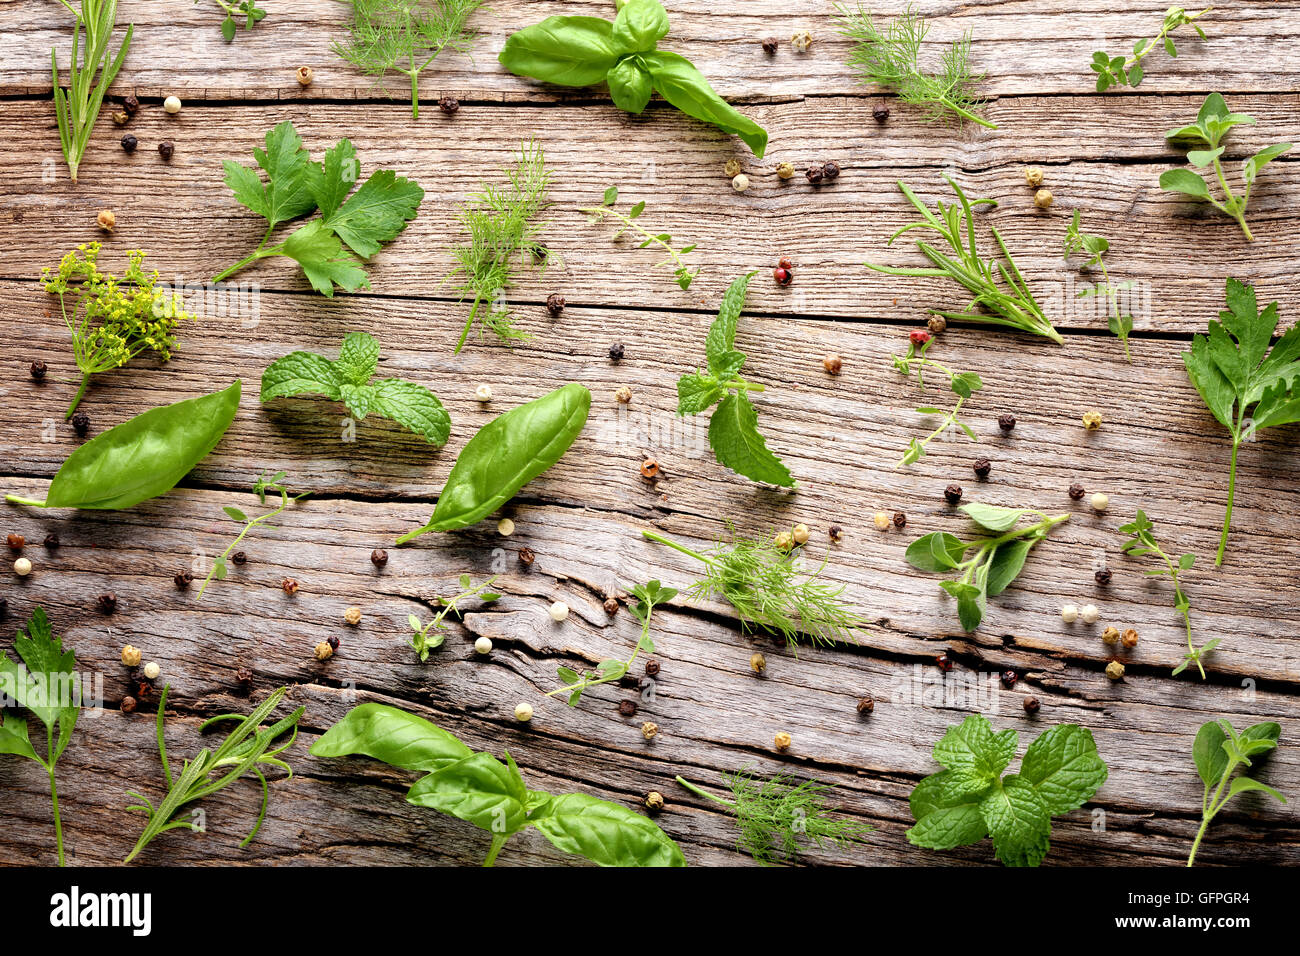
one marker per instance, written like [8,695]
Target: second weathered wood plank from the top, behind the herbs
[1173,250]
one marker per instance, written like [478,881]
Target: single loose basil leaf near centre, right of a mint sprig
[506,455]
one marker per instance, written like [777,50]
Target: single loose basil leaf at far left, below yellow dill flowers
[144,457]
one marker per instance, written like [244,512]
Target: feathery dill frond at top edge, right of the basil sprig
[891,58]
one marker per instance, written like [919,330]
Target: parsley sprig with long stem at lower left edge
[46,686]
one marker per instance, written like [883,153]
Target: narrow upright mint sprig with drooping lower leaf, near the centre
[734,426]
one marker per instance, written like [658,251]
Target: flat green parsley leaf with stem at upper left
[374,215]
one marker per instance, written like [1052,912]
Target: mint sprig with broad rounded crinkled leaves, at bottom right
[970,799]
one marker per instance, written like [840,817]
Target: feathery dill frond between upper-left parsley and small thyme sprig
[502,235]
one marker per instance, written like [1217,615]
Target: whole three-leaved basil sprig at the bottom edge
[480,790]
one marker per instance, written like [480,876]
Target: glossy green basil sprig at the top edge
[586,51]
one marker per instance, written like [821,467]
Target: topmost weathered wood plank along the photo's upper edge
[1022,47]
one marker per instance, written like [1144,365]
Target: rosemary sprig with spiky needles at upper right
[1002,296]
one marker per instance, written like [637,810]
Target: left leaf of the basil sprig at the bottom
[391,736]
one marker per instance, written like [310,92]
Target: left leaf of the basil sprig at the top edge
[566,51]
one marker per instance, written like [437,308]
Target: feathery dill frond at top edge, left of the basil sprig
[406,37]
